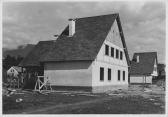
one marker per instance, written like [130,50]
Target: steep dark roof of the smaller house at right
[145,65]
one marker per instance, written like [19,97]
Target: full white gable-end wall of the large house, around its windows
[113,40]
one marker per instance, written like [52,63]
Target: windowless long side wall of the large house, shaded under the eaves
[78,73]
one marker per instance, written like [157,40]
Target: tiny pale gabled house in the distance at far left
[14,71]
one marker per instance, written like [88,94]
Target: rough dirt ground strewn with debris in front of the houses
[136,100]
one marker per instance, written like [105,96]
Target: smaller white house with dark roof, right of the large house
[143,67]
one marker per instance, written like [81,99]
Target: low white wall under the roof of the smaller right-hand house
[140,79]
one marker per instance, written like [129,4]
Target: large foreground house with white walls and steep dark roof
[90,54]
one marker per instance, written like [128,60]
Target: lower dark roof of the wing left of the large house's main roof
[32,59]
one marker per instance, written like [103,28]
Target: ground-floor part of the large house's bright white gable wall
[114,74]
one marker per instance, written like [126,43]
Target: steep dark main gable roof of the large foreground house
[90,33]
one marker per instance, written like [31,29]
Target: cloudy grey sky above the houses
[143,23]
